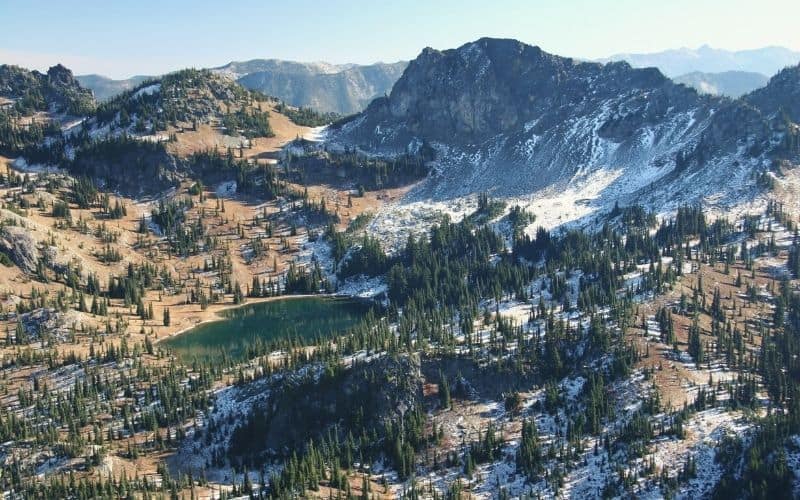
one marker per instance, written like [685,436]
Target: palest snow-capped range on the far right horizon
[674,62]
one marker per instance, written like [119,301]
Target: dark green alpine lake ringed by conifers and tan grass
[300,317]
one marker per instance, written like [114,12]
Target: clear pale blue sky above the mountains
[120,38]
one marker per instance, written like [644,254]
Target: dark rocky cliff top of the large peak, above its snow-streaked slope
[495,86]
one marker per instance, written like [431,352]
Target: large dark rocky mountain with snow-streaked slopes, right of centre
[512,120]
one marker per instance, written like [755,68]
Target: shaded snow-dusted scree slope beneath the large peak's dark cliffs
[571,155]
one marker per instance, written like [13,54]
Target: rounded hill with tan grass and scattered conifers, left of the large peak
[149,138]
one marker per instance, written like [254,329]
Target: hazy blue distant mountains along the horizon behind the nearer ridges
[348,88]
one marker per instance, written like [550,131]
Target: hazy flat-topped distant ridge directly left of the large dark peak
[343,89]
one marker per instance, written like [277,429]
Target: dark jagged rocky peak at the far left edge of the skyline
[55,91]
